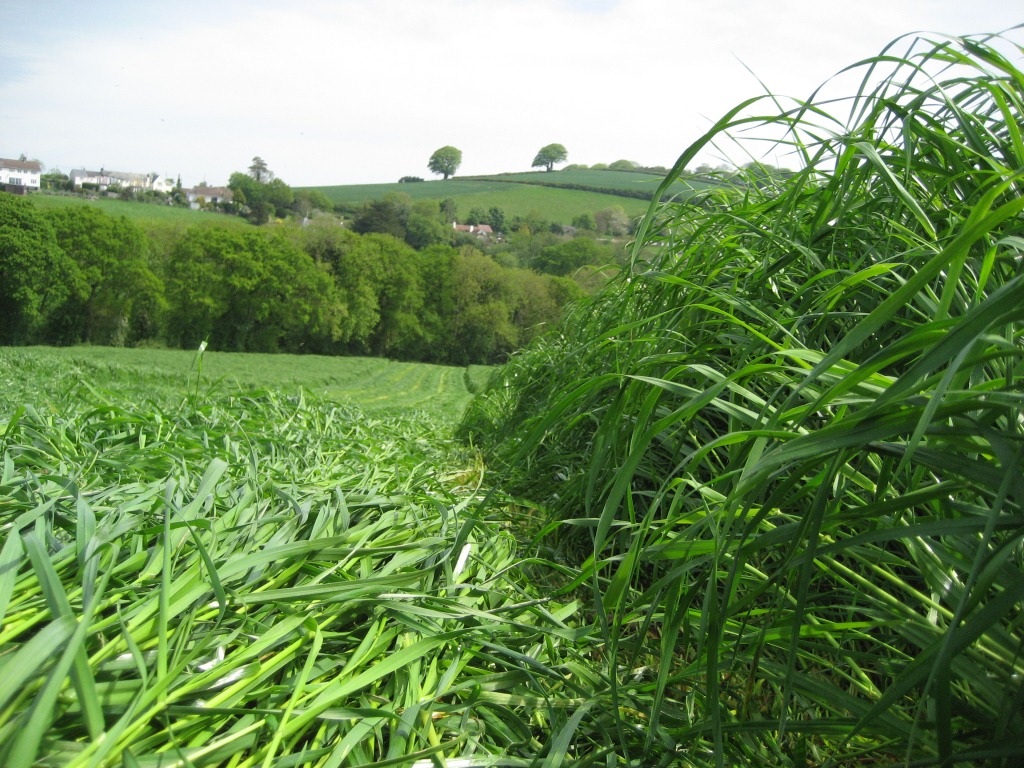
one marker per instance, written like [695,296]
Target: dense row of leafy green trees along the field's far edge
[78,276]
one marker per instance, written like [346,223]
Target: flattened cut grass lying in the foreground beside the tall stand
[262,580]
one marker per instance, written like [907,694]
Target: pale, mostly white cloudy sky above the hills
[364,92]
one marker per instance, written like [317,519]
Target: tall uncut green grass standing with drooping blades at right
[785,450]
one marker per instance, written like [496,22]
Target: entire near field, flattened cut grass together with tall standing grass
[758,502]
